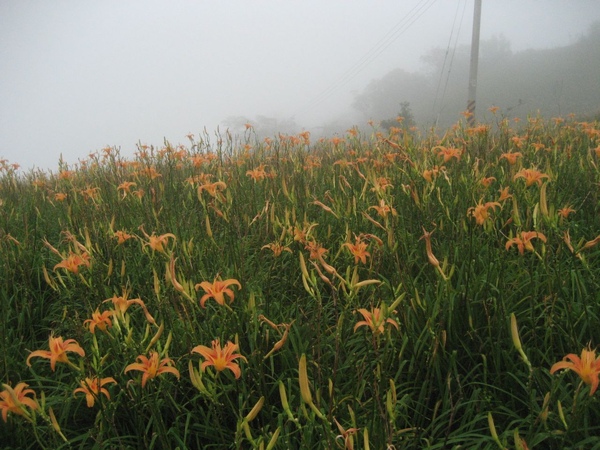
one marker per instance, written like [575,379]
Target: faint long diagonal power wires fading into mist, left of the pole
[413,15]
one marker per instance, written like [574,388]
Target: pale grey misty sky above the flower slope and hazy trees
[78,75]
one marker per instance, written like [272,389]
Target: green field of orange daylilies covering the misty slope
[374,290]
